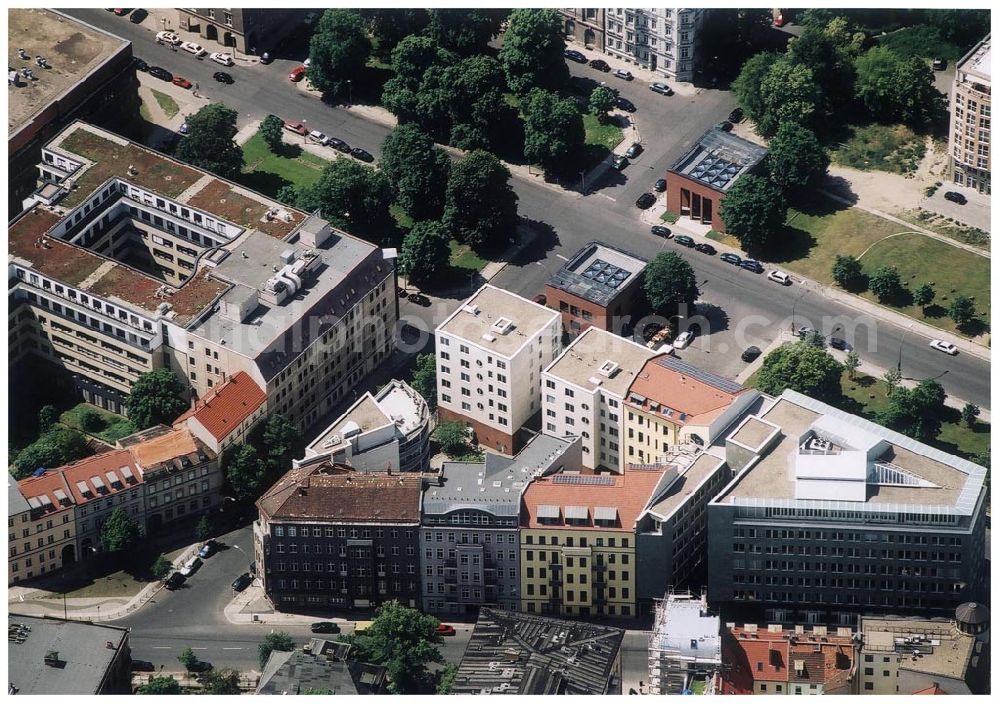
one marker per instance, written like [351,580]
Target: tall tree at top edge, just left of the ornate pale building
[532,51]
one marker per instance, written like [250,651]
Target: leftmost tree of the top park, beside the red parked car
[338,50]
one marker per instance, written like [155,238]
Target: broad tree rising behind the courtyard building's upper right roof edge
[353,197]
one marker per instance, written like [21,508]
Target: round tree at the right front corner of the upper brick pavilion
[753,210]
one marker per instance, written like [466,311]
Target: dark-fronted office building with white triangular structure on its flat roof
[830,515]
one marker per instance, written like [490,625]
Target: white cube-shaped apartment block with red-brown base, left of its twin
[490,355]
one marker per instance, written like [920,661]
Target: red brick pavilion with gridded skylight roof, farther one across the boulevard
[698,181]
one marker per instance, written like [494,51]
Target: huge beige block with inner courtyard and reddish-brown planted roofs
[130,261]
